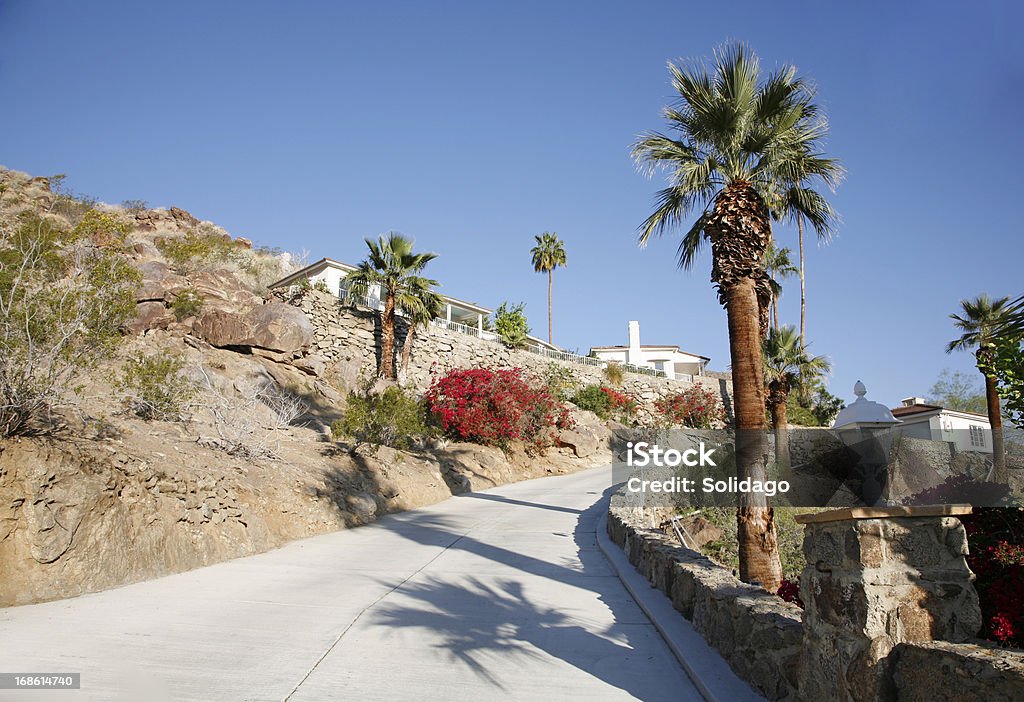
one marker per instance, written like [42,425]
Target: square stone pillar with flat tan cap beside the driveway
[877,578]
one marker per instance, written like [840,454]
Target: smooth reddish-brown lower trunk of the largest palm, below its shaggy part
[759,560]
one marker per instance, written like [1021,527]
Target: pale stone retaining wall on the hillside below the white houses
[350,339]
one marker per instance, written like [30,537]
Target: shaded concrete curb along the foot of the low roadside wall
[705,666]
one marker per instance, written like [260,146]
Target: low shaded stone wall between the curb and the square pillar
[758,634]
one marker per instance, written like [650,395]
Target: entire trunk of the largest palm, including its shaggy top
[740,230]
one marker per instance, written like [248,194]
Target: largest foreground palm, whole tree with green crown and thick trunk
[737,142]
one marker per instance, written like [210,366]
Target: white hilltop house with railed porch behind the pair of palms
[459,315]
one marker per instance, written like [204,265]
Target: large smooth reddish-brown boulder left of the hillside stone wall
[275,327]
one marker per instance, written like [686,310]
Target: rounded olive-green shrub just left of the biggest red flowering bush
[391,419]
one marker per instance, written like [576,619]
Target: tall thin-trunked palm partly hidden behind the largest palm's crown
[801,202]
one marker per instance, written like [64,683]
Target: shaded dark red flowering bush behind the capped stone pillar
[996,539]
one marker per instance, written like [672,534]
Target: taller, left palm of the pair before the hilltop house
[394,267]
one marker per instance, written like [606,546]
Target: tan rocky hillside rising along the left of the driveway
[105,498]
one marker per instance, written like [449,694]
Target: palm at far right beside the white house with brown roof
[982,321]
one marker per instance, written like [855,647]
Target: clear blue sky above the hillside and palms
[474,126]
